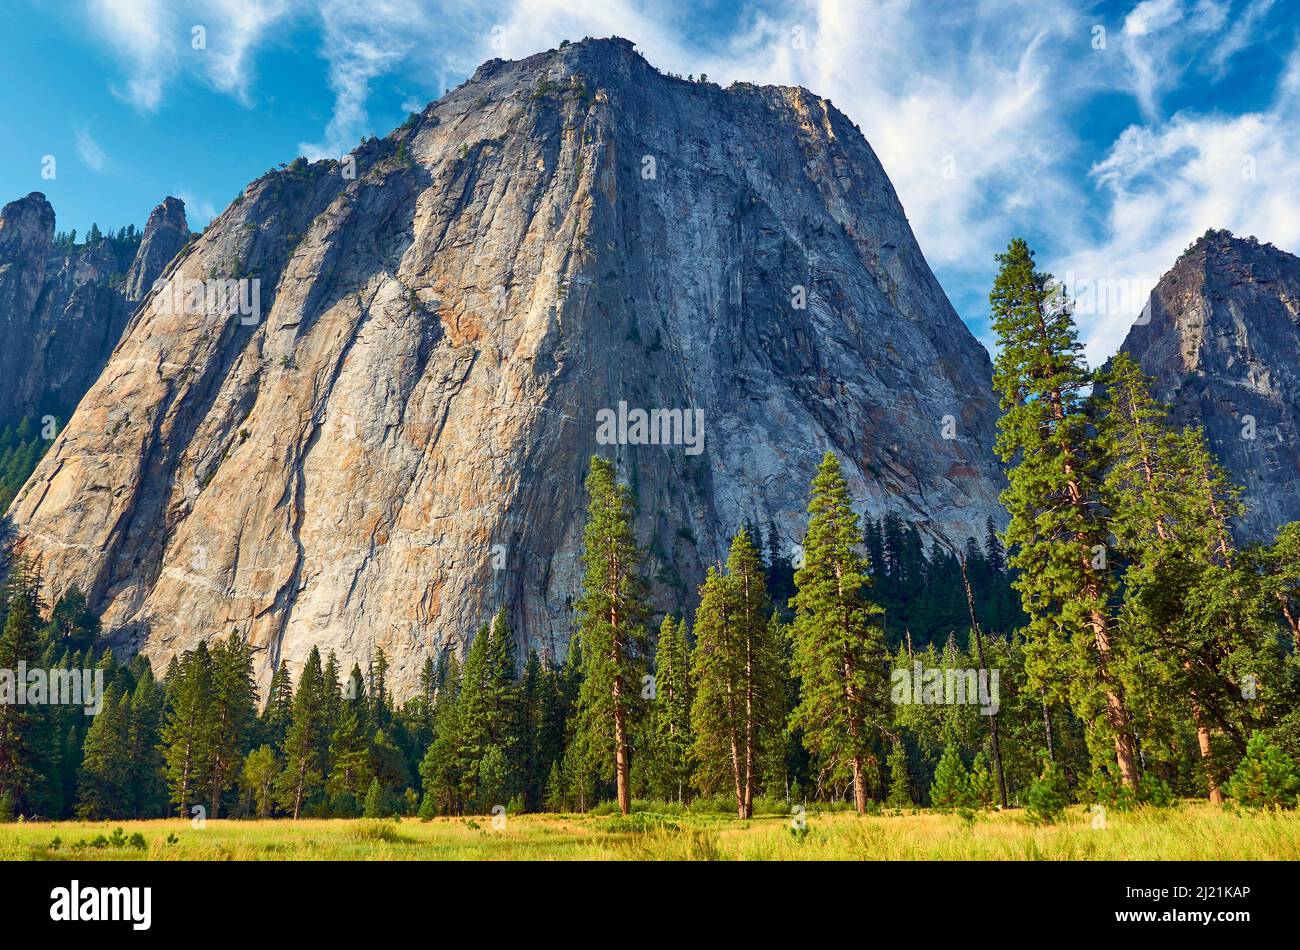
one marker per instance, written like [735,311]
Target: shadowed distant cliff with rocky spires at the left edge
[63,307]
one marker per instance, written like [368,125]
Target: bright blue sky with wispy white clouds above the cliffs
[1111,135]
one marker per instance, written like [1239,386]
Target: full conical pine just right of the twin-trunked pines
[839,648]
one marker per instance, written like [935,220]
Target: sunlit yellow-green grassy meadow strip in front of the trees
[1191,832]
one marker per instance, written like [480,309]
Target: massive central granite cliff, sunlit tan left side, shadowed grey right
[397,444]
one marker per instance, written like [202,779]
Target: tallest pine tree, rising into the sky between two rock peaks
[1058,527]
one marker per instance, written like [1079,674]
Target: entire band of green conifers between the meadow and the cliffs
[1142,656]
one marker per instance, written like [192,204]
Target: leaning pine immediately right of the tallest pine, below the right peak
[1195,611]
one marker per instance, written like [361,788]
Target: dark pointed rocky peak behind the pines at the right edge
[1224,346]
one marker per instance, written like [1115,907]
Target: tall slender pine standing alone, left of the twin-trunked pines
[612,628]
